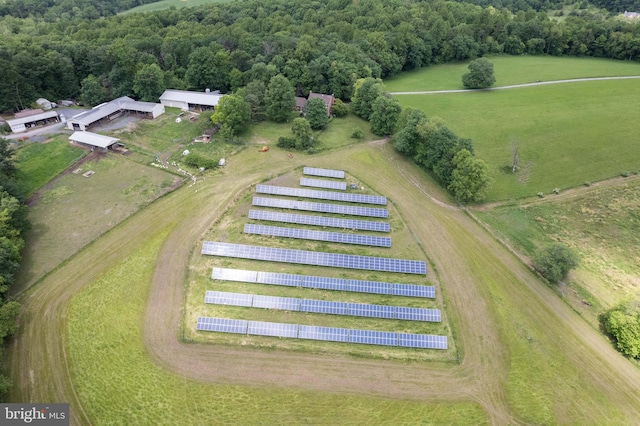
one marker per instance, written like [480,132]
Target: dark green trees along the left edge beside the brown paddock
[13,227]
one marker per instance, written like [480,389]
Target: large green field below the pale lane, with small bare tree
[567,133]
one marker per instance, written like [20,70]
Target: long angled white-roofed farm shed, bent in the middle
[109,111]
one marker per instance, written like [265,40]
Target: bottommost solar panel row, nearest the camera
[368,337]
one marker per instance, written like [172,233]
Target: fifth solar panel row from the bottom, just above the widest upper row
[307,234]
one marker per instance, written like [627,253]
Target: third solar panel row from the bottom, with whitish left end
[326,283]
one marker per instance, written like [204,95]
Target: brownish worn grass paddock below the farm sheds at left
[75,210]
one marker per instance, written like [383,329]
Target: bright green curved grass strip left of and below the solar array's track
[117,382]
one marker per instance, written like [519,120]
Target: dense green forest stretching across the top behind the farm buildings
[319,46]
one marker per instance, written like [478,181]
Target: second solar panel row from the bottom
[322,306]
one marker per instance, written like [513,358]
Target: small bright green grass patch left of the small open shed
[38,163]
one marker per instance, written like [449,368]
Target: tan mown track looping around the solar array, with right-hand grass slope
[526,358]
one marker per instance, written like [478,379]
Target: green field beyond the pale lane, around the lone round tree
[511,70]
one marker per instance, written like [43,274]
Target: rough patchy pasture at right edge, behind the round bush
[598,222]
